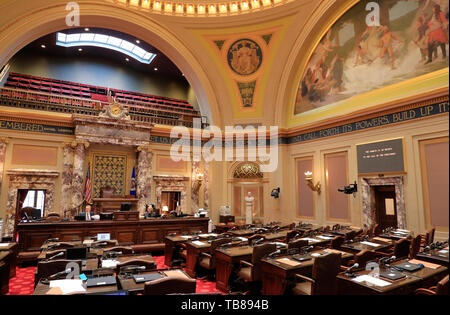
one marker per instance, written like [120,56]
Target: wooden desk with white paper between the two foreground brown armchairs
[278,272]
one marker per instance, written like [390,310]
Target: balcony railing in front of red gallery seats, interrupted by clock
[141,112]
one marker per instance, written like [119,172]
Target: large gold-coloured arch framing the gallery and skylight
[16,34]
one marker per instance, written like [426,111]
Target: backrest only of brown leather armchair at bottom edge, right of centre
[325,270]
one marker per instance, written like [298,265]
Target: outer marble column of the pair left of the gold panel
[67,179]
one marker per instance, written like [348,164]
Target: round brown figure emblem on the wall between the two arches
[244,56]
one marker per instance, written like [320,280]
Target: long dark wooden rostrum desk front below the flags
[145,231]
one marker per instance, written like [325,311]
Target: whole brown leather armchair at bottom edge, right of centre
[323,281]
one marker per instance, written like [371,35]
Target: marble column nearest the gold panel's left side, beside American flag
[78,178]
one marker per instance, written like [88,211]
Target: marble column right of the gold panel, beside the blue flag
[144,177]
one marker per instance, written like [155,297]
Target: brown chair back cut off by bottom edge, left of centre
[170,285]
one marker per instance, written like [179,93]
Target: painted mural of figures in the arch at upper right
[363,52]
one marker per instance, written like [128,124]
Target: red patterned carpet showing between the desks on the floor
[23,282]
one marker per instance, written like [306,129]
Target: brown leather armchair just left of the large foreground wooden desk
[251,272]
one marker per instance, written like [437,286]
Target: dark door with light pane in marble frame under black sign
[386,206]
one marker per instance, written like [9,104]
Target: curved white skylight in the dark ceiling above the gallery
[105,41]
